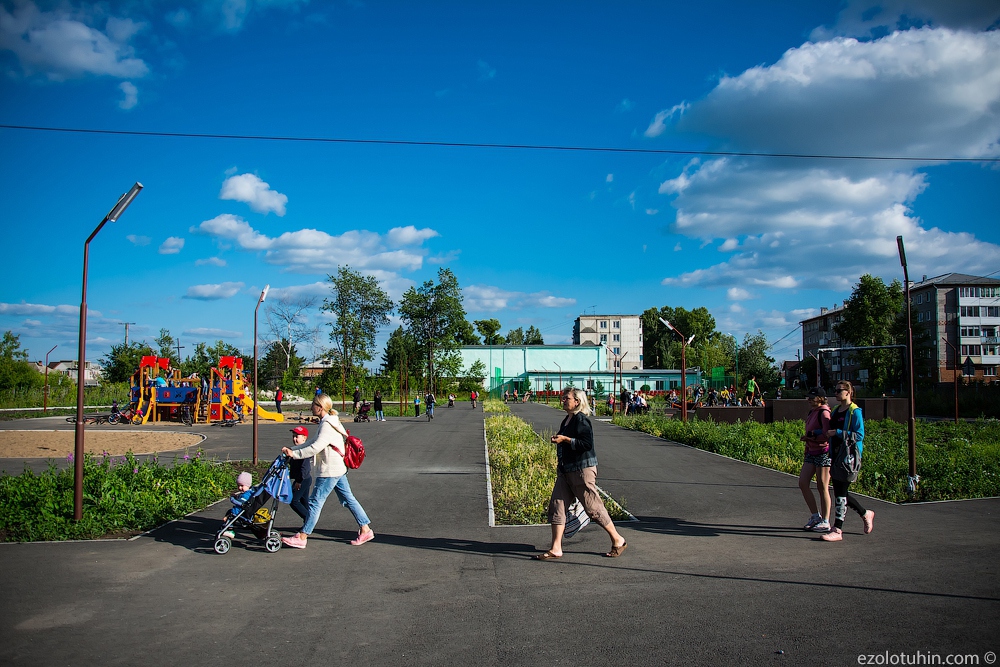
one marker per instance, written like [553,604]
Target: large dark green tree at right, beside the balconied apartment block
[871,316]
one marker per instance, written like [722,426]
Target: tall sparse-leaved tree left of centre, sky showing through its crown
[361,307]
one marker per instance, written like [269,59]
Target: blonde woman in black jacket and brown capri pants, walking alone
[576,476]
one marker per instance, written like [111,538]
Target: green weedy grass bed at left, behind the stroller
[121,496]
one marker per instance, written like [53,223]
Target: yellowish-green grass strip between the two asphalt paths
[523,470]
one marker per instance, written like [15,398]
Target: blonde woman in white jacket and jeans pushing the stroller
[329,474]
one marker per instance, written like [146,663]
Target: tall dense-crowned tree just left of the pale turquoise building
[434,316]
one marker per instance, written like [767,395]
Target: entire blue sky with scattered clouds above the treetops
[535,237]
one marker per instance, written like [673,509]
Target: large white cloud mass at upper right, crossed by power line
[809,224]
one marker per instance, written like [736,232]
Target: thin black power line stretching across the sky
[462,144]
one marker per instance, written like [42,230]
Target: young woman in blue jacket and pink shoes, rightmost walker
[847,434]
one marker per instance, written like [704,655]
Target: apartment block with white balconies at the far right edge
[963,310]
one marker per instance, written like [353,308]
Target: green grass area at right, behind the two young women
[954,461]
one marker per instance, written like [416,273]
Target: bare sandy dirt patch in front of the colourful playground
[58,444]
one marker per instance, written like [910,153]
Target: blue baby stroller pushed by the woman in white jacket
[257,513]
